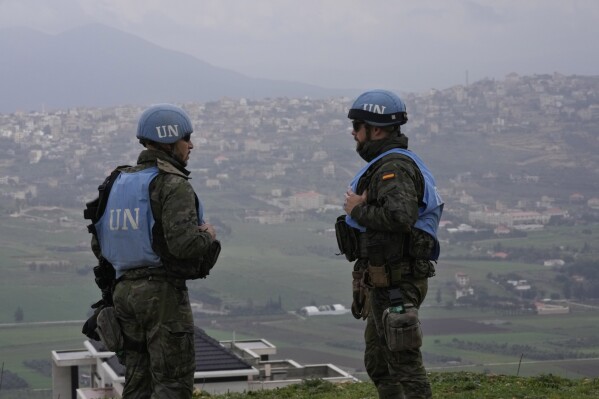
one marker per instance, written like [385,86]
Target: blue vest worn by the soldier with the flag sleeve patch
[429,214]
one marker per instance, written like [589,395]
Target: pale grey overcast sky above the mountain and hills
[410,45]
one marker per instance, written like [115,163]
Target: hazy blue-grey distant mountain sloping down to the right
[100,66]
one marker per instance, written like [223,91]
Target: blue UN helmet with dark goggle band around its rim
[379,108]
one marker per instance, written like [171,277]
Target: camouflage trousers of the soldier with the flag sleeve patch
[396,375]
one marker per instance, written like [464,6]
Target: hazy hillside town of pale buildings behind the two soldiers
[294,156]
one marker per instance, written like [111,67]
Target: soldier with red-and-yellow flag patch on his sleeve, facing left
[390,231]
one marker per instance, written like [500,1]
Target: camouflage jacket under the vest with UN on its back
[175,233]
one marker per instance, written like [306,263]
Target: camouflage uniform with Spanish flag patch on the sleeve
[388,215]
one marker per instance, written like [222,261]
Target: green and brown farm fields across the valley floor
[46,266]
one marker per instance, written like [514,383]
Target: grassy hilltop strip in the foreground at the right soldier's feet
[460,385]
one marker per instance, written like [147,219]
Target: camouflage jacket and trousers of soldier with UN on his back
[152,305]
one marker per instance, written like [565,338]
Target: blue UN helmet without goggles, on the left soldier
[163,123]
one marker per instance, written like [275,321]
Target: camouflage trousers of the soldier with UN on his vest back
[156,319]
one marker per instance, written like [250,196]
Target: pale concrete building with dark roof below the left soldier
[228,366]
